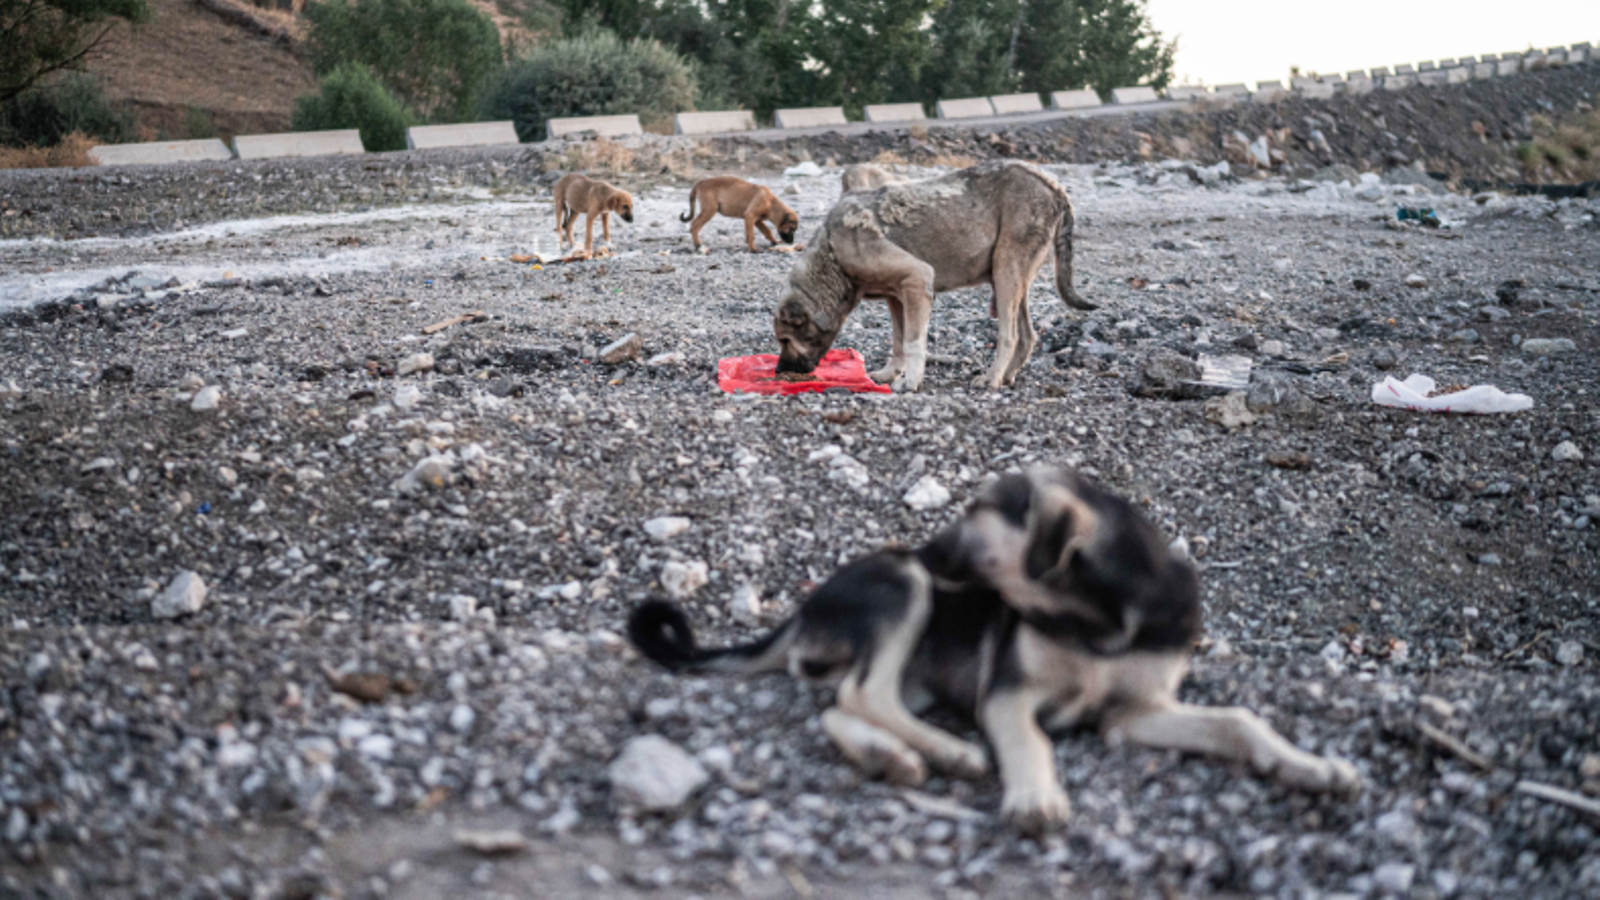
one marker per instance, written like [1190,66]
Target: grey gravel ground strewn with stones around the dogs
[417,582]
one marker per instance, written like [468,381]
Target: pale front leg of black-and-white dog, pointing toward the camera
[1034,798]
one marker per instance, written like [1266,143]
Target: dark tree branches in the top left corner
[39,38]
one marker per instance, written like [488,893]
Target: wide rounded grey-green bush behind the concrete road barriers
[596,74]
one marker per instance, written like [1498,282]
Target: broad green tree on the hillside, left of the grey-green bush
[434,55]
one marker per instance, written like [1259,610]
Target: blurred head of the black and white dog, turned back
[1103,573]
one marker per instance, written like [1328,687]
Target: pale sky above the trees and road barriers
[1258,41]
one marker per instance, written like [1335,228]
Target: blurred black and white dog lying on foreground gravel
[1050,605]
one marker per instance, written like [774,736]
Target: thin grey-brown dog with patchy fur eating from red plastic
[994,223]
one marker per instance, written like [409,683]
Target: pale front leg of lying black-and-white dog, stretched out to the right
[1236,734]
